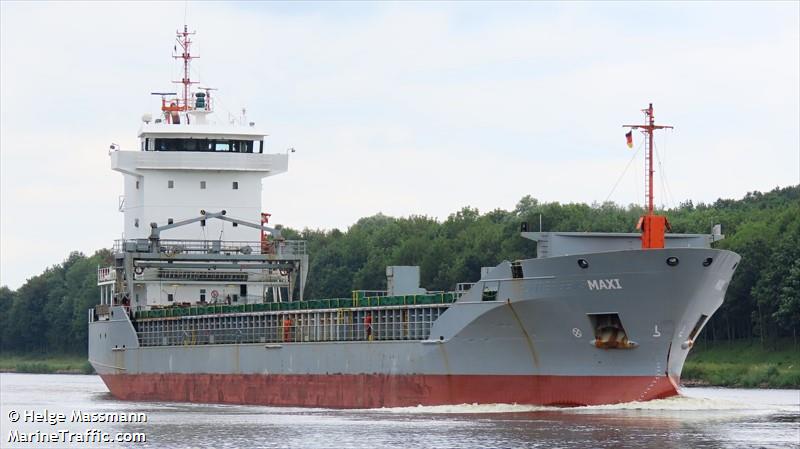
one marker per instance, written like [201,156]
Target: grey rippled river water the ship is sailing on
[702,417]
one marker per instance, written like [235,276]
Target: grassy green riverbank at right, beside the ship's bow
[743,363]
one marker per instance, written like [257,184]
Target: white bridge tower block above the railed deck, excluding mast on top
[182,169]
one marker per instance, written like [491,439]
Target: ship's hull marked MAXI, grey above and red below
[535,340]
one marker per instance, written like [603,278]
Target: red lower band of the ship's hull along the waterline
[378,390]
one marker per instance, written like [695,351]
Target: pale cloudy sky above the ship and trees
[407,108]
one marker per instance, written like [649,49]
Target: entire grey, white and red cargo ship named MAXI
[205,301]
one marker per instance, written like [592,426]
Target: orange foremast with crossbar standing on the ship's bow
[652,226]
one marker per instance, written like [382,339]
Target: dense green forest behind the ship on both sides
[48,314]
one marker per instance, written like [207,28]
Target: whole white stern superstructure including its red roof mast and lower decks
[192,199]
